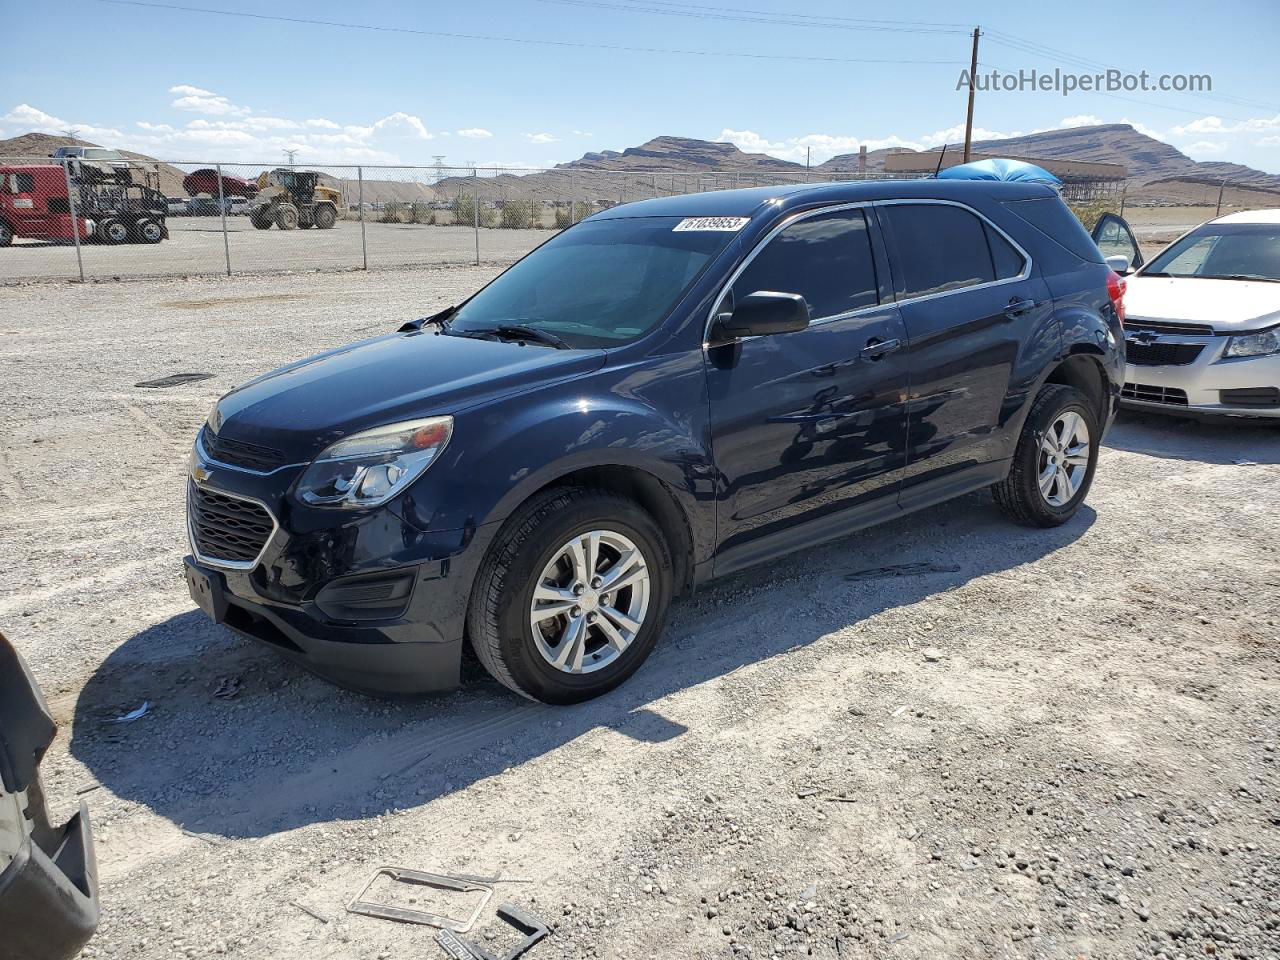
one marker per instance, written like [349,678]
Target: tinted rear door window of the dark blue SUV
[939,248]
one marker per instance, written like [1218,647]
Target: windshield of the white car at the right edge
[1223,252]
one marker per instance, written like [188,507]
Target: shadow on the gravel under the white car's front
[1212,441]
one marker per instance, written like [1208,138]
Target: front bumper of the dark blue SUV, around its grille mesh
[308,593]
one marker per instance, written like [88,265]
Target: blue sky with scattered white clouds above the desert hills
[540,83]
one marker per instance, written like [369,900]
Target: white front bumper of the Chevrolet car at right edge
[1209,385]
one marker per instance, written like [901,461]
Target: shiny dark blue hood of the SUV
[304,408]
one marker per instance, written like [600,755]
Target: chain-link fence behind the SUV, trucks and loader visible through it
[179,220]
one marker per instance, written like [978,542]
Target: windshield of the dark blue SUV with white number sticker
[601,284]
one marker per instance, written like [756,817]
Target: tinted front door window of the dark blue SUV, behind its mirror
[826,259]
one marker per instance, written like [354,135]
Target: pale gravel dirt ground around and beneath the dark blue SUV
[1050,744]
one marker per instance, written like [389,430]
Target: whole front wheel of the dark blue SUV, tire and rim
[573,597]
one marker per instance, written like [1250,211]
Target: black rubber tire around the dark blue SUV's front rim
[499,619]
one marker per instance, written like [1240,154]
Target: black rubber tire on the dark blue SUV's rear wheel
[1020,495]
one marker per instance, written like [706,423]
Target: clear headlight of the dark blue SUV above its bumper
[371,468]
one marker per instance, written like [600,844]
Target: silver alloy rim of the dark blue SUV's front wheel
[591,602]
